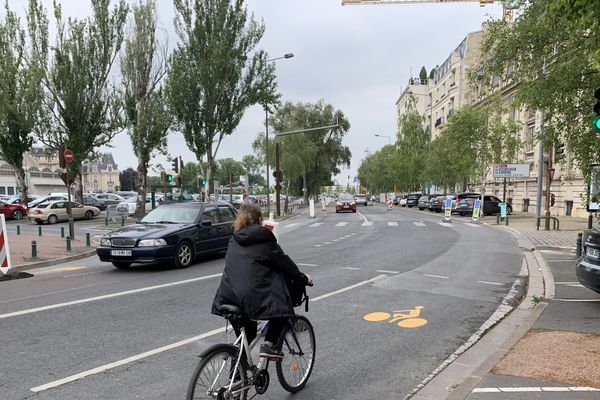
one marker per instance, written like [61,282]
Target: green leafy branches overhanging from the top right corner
[566,35]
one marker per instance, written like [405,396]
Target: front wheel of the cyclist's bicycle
[299,347]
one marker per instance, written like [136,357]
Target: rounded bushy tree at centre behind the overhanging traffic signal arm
[309,160]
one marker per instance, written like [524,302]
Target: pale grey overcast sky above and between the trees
[357,58]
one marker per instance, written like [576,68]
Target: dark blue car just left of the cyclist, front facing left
[174,233]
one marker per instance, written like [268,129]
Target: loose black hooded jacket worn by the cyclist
[254,275]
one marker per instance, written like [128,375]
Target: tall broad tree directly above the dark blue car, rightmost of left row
[216,72]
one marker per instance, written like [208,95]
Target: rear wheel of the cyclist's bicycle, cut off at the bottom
[212,376]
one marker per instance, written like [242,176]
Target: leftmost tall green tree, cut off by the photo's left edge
[20,92]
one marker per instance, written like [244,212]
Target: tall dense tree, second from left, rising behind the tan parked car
[81,108]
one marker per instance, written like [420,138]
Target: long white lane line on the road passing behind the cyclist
[171,346]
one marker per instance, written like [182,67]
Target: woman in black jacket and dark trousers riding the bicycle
[256,278]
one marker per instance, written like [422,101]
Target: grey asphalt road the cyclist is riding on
[84,330]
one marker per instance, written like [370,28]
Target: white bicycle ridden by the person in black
[227,372]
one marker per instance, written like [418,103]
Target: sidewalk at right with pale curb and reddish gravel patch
[546,348]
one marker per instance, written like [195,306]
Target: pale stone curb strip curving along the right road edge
[458,375]
